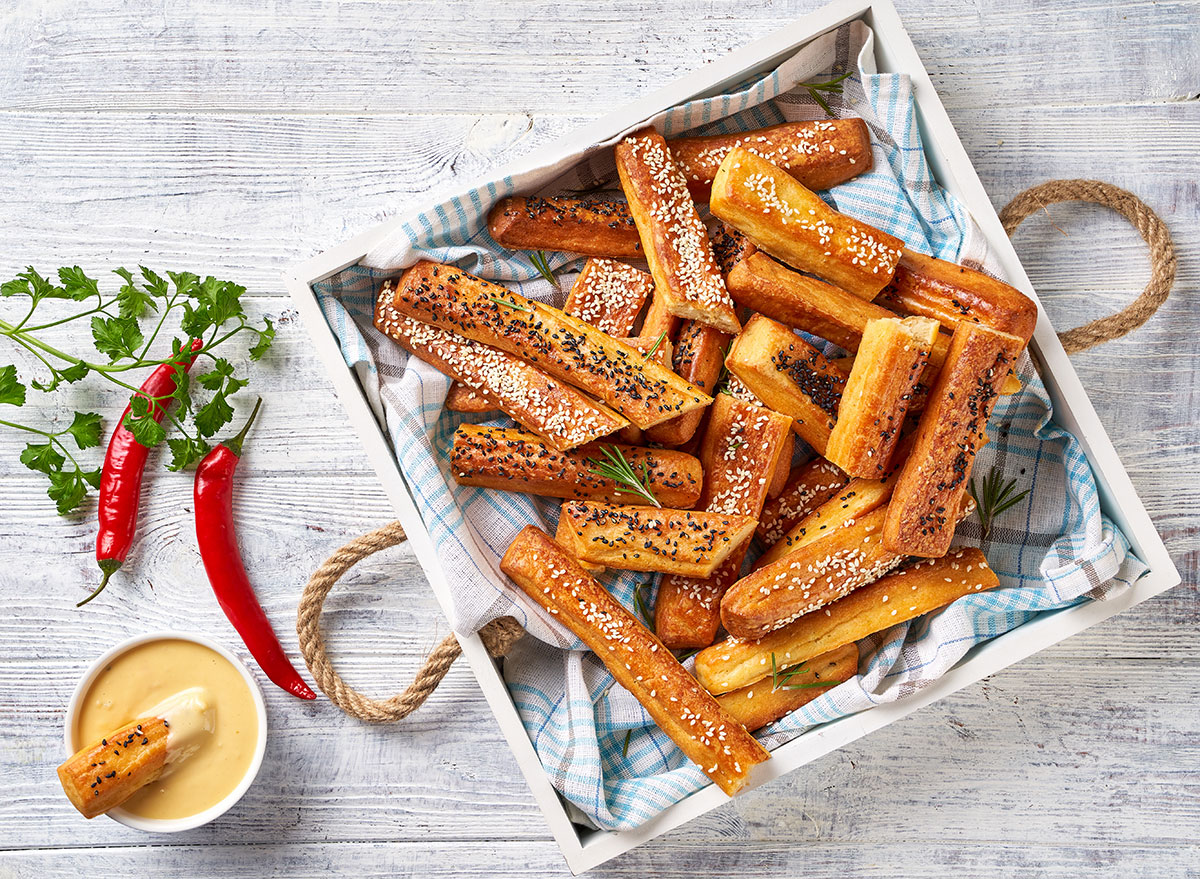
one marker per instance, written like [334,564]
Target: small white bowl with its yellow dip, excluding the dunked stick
[225,750]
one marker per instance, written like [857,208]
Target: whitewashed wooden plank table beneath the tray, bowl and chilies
[213,137]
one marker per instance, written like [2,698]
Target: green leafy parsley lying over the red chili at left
[127,328]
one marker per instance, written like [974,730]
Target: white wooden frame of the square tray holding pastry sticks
[895,53]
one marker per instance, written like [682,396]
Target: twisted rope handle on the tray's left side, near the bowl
[497,636]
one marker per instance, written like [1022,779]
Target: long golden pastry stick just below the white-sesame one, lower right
[893,600]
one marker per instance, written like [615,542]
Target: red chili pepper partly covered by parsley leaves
[121,483]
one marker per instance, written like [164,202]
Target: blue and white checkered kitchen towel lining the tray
[597,744]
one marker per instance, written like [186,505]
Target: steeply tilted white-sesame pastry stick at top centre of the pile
[674,237]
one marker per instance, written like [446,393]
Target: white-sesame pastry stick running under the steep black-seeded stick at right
[813,576]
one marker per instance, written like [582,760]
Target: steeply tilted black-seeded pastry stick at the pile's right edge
[935,475]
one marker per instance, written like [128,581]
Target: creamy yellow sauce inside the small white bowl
[220,727]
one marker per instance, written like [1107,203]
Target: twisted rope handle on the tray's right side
[1147,222]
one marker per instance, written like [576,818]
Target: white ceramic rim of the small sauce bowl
[173,826]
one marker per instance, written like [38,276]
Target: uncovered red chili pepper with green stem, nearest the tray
[223,563]
